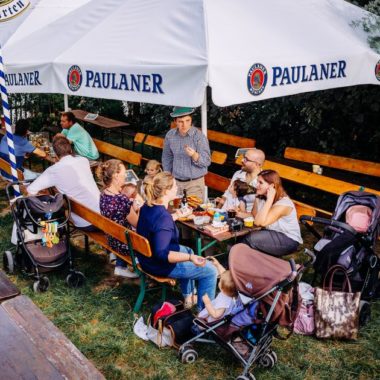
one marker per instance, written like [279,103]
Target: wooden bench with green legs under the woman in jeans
[135,242]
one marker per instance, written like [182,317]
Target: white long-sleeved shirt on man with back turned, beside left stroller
[71,176]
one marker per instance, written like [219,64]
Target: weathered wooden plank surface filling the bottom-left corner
[33,348]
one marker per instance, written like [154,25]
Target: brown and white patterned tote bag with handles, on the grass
[336,312]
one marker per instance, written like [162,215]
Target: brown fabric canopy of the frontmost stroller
[253,272]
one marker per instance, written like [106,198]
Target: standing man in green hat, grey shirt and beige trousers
[186,153]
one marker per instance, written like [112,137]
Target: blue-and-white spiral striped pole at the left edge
[7,119]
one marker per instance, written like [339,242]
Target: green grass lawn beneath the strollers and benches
[98,320]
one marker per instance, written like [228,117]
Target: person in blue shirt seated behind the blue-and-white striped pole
[22,148]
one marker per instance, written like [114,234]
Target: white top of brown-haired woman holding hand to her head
[288,224]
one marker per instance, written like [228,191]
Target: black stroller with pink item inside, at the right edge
[352,248]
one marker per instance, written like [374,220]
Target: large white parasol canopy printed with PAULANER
[168,51]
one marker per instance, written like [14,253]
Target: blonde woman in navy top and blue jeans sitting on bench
[169,258]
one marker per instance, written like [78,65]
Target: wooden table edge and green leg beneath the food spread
[201,233]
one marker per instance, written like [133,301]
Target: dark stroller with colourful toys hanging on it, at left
[42,238]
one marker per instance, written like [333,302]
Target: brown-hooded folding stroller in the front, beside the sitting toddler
[268,297]
